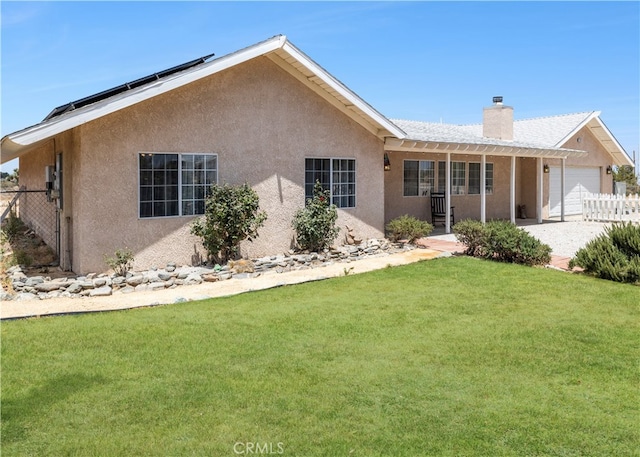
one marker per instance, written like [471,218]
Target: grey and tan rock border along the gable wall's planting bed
[172,276]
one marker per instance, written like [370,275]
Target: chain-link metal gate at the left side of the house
[37,211]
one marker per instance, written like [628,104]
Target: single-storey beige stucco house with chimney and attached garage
[129,167]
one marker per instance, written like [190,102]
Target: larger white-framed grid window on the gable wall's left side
[175,184]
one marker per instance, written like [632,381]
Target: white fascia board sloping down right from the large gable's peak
[343,90]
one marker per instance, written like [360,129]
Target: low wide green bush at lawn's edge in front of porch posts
[502,241]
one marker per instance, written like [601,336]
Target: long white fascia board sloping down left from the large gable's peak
[47,129]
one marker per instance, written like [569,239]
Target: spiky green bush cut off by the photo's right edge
[614,255]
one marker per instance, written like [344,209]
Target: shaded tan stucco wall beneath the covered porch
[465,206]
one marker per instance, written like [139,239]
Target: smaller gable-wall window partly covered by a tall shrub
[336,175]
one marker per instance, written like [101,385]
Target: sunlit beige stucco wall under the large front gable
[261,123]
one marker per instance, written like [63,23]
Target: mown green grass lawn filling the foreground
[453,357]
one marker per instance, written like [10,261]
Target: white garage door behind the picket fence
[578,182]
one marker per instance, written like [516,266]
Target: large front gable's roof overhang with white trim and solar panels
[278,49]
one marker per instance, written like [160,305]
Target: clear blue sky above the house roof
[429,61]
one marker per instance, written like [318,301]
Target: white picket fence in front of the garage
[611,208]
